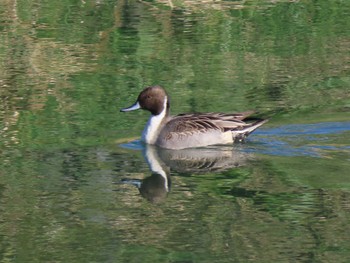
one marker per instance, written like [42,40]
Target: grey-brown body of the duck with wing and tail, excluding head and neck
[195,130]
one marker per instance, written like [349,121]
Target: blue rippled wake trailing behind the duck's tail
[312,140]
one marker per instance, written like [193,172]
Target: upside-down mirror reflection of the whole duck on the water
[156,187]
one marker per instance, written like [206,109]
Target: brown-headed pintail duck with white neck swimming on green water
[189,130]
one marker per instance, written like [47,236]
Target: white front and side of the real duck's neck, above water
[154,124]
